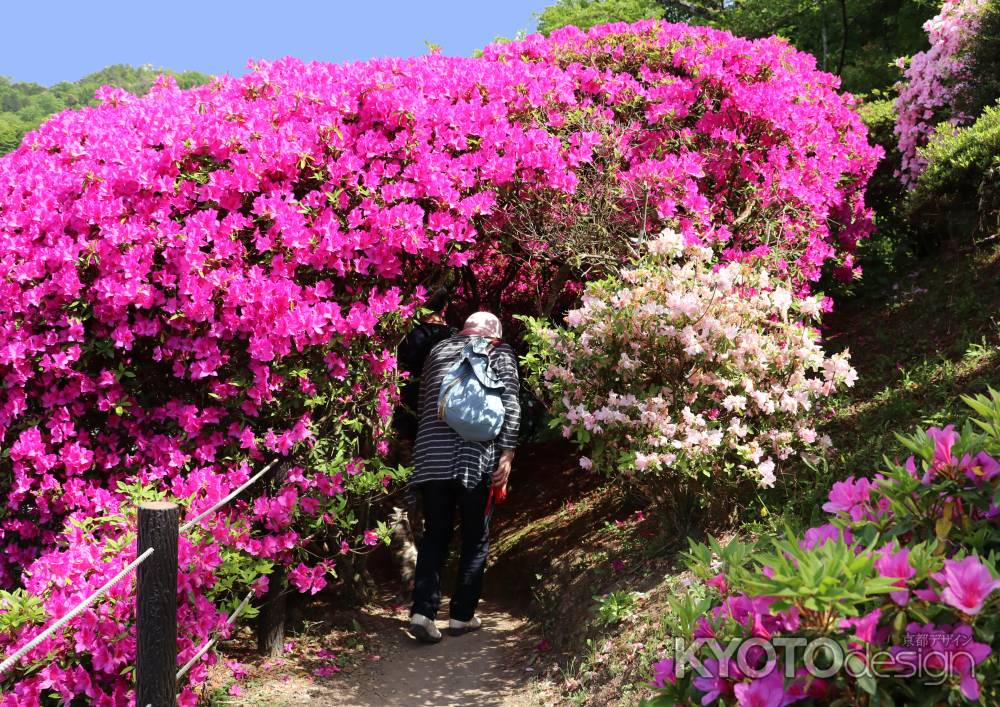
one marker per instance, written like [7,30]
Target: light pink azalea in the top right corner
[933,81]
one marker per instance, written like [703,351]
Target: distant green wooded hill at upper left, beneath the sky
[23,106]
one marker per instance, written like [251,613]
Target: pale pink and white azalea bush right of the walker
[681,366]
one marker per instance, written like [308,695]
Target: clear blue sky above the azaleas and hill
[47,41]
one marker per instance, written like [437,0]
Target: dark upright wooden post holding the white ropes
[156,606]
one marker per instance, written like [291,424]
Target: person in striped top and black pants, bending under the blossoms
[454,473]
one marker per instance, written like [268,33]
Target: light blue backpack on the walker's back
[470,400]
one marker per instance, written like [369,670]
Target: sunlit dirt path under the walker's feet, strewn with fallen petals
[383,665]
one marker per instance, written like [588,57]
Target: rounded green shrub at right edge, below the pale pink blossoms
[960,189]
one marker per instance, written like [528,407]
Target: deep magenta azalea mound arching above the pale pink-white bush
[740,143]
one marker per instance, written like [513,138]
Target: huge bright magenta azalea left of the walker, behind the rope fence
[197,281]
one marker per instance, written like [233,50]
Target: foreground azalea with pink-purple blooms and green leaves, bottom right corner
[900,585]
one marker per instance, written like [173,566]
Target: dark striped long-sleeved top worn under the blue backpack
[440,454]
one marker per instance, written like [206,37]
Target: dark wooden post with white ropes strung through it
[156,600]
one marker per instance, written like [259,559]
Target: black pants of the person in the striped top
[440,499]
